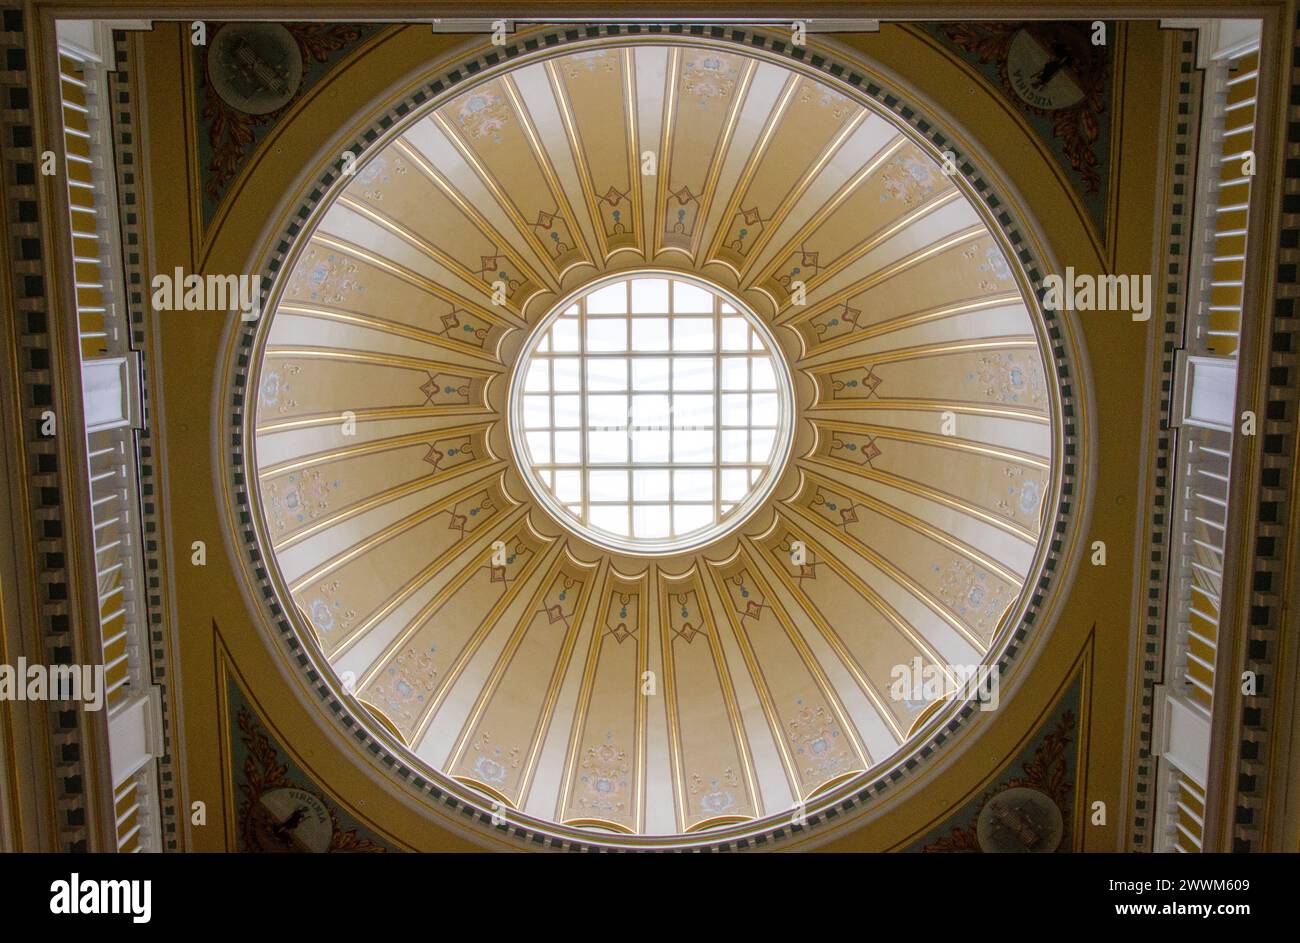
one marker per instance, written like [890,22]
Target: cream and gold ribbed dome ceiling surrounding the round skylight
[681,693]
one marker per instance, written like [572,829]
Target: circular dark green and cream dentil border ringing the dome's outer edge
[866,88]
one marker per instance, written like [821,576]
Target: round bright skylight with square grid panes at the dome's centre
[652,413]
